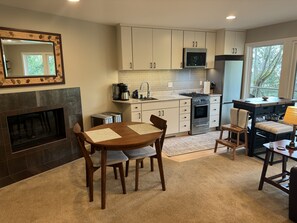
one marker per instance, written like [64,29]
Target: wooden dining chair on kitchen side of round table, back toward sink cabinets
[149,151]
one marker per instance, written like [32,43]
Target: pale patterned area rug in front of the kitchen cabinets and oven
[191,143]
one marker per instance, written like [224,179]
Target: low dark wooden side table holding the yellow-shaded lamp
[283,177]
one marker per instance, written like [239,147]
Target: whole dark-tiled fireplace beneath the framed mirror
[36,132]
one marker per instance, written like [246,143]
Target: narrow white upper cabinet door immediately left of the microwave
[177,45]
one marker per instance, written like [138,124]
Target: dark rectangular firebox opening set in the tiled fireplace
[37,128]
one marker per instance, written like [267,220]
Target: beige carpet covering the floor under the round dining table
[209,189]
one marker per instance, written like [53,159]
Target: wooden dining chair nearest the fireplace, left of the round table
[115,159]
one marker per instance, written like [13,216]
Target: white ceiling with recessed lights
[203,14]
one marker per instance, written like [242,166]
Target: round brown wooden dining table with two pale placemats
[128,140]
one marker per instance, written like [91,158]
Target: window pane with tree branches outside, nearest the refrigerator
[265,71]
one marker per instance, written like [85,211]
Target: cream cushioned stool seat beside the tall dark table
[274,127]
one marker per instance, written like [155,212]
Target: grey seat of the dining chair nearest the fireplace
[113,157]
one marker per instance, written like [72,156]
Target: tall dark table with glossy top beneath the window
[259,108]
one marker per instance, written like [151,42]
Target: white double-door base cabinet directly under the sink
[168,110]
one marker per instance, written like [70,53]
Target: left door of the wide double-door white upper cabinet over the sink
[142,48]
